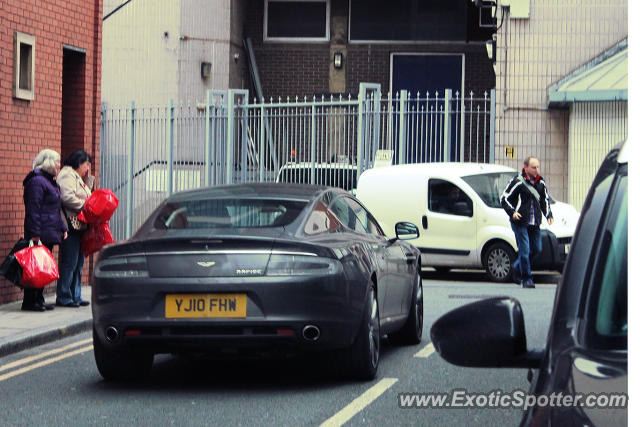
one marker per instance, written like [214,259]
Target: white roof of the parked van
[444,168]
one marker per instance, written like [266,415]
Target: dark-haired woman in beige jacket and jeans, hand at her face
[76,182]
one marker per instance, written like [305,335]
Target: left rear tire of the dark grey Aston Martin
[120,365]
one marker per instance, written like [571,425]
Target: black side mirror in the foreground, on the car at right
[484,334]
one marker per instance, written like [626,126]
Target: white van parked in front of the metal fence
[458,208]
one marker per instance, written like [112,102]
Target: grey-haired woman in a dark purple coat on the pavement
[42,219]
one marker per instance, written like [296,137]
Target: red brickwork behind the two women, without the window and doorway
[26,127]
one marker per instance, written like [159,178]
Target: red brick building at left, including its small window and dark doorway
[50,96]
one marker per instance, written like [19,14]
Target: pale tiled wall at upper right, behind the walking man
[532,54]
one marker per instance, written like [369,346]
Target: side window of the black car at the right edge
[609,308]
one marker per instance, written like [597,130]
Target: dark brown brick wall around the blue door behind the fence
[290,69]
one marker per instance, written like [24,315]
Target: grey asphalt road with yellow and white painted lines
[58,384]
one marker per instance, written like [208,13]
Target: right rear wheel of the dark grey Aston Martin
[364,354]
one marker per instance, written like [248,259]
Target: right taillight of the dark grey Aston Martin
[301,265]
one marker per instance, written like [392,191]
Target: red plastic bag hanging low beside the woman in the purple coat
[38,266]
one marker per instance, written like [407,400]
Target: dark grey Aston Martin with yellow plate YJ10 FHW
[284,268]
